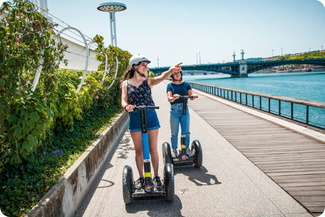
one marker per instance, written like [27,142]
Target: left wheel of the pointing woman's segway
[127,184]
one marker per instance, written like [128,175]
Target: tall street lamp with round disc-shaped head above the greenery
[112,8]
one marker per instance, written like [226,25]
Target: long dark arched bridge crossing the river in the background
[233,68]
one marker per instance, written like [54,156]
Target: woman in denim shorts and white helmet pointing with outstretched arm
[136,91]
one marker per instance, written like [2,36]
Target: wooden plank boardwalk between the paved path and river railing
[295,162]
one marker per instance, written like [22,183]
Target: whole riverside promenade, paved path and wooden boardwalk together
[251,167]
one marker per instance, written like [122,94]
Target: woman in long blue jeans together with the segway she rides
[178,93]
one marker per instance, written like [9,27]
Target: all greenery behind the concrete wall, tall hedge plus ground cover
[35,123]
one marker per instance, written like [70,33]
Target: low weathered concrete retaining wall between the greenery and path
[64,198]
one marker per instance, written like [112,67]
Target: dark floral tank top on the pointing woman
[140,95]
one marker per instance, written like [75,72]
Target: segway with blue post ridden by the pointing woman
[130,192]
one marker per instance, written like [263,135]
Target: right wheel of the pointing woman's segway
[169,182]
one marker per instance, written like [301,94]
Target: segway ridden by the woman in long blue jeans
[182,158]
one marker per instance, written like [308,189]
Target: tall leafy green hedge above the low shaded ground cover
[27,117]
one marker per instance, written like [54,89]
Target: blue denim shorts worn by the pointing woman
[135,121]
